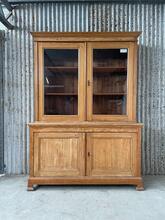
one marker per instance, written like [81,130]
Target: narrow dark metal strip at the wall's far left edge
[2,40]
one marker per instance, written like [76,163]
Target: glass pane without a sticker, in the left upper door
[60,81]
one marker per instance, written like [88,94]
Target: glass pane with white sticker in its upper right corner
[110,81]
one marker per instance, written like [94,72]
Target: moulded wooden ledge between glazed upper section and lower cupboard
[81,127]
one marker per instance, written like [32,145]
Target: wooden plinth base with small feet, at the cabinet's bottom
[33,182]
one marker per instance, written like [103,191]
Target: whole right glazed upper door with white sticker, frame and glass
[111,81]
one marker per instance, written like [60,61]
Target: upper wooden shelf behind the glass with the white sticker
[108,69]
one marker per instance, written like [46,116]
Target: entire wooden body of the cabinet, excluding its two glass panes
[94,134]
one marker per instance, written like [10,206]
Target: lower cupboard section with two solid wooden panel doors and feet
[109,155]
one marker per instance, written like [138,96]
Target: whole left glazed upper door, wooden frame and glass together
[61,81]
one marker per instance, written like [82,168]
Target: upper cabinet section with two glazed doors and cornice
[85,76]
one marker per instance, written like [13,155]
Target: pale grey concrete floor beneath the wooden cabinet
[82,202]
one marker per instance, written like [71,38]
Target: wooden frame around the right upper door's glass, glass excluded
[131,78]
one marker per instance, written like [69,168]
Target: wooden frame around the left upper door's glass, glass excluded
[39,92]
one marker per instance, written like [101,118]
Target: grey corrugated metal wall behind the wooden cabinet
[18,76]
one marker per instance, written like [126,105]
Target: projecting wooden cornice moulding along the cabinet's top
[85,36]
